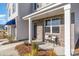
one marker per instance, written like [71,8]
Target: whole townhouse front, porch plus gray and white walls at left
[40,21]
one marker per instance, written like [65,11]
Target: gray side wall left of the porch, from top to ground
[22,25]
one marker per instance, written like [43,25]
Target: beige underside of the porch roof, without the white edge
[48,14]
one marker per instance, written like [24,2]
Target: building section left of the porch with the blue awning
[16,25]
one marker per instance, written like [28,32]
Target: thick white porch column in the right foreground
[67,28]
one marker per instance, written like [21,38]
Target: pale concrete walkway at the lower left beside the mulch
[9,49]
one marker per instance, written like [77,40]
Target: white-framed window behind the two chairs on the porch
[52,24]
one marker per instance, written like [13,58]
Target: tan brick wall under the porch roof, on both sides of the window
[40,30]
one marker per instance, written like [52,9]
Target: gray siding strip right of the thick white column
[75,27]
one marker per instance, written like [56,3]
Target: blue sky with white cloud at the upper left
[3,13]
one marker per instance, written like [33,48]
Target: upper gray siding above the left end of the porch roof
[24,9]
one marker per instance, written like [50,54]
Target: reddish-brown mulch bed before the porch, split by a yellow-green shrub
[27,48]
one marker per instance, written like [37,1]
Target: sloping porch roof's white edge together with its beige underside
[48,13]
